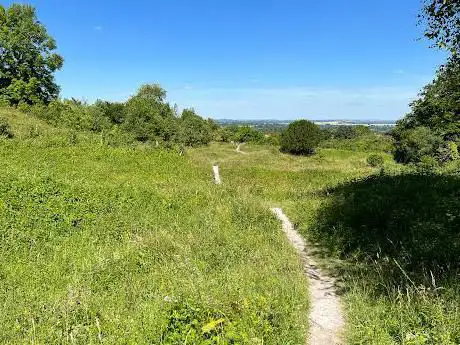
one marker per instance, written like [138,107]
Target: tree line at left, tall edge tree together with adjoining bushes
[28,62]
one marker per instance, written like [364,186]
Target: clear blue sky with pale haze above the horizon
[246,59]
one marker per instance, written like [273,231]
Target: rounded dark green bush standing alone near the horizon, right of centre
[300,137]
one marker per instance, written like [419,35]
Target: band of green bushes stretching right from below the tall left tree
[146,117]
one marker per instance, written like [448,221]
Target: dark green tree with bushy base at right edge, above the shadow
[432,128]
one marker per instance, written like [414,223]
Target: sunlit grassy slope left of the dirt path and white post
[136,245]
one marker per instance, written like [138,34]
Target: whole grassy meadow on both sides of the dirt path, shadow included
[136,245]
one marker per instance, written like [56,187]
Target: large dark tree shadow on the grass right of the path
[408,224]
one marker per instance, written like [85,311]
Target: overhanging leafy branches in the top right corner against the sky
[442,20]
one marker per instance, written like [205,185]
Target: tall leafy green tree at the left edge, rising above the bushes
[27,61]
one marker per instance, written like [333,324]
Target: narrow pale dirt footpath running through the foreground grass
[326,318]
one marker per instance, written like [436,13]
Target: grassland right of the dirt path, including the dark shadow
[391,237]
